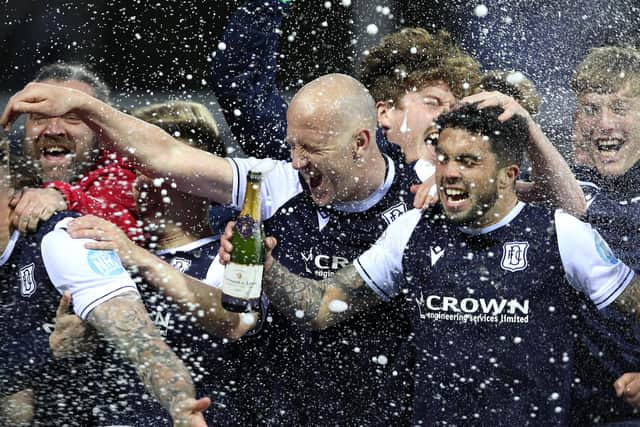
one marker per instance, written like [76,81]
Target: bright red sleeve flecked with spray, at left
[106,192]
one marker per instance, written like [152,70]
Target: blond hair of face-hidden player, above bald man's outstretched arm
[186,120]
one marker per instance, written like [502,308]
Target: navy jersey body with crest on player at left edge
[28,302]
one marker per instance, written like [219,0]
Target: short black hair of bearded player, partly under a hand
[508,139]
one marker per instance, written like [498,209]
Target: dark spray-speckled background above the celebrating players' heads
[149,49]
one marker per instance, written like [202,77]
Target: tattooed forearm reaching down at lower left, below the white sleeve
[124,322]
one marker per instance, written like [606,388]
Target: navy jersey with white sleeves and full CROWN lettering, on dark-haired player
[493,316]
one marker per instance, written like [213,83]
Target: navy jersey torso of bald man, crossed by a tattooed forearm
[337,376]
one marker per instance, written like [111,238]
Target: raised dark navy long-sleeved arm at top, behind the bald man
[245,79]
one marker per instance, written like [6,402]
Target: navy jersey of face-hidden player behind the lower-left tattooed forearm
[210,360]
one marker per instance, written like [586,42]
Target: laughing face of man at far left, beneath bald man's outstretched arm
[62,148]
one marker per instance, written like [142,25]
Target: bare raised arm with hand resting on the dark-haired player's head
[553,183]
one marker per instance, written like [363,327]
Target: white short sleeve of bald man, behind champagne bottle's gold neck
[280,183]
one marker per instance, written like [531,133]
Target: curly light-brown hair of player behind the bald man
[412,58]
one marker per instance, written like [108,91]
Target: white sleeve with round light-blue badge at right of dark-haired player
[589,264]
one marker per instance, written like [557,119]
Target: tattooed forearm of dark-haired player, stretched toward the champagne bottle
[322,303]
